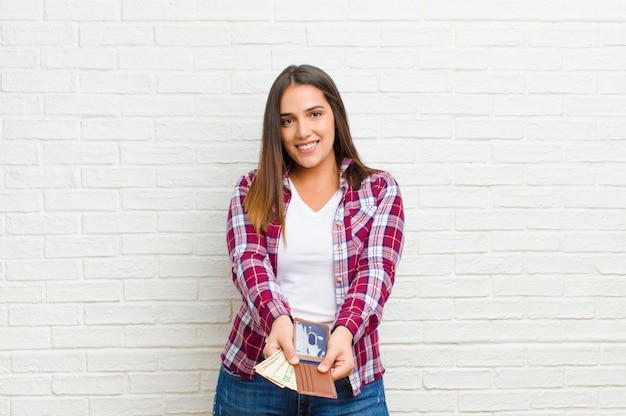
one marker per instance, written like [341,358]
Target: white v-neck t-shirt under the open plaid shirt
[305,263]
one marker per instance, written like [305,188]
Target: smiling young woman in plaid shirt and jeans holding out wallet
[315,234]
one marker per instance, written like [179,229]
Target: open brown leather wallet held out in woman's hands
[311,339]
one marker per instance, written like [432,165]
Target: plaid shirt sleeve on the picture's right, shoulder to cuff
[362,309]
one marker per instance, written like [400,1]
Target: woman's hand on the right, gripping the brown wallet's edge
[339,357]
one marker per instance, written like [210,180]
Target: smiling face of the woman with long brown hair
[307,128]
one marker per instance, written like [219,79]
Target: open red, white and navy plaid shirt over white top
[367,244]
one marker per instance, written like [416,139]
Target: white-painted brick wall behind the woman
[125,123]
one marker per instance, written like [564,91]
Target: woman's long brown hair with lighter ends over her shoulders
[264,201]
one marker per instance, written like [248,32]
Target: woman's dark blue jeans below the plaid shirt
[235,396]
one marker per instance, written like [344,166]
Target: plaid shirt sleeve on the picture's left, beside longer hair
[252,271]
